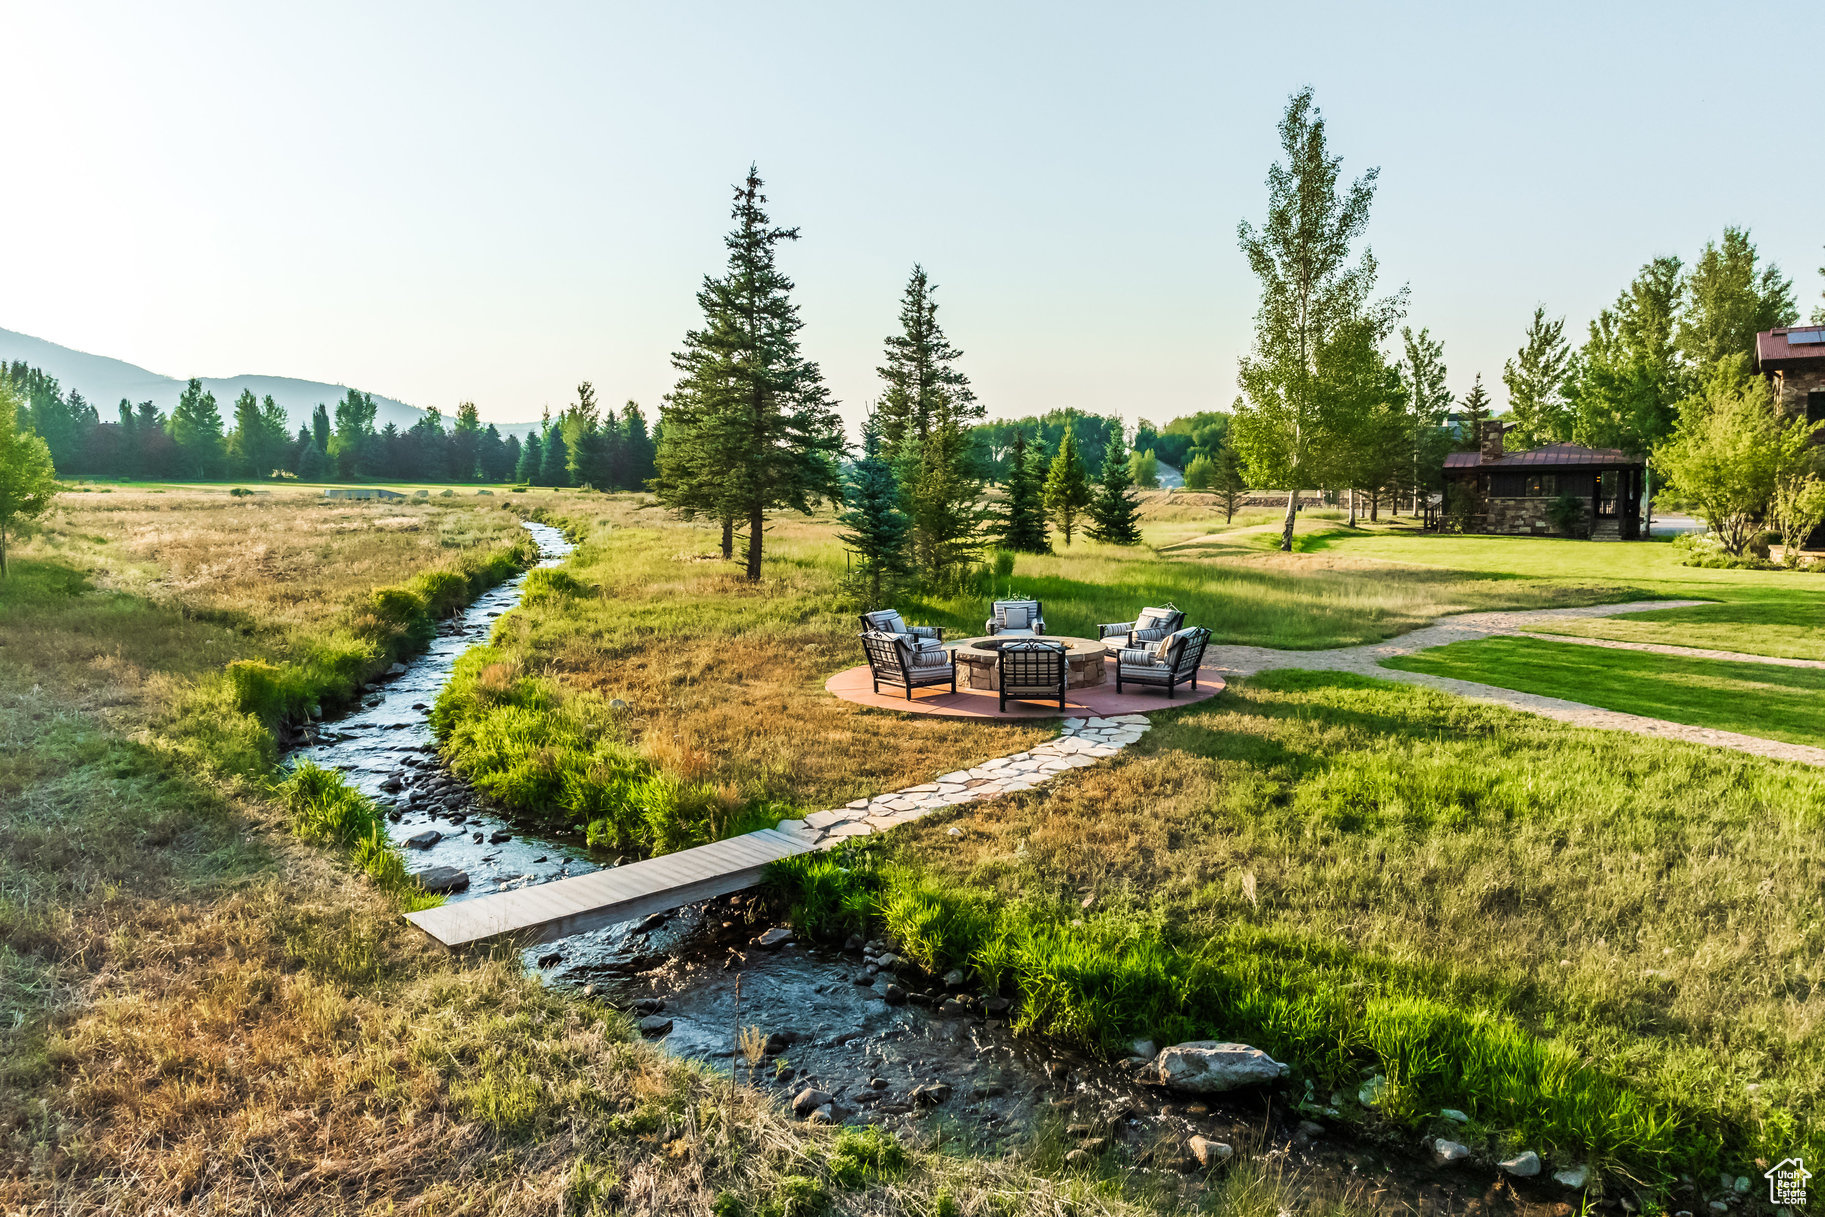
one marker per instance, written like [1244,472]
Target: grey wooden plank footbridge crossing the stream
[589,902]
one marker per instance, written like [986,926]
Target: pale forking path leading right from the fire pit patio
[1368,660]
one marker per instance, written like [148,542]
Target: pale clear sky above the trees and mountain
[492,203]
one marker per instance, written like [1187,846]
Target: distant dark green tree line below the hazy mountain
[589,446]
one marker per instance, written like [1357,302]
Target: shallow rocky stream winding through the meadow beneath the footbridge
[933,1066]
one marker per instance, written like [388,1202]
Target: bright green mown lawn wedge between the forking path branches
[1755,700]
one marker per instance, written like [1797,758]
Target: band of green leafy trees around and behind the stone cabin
[1331,402]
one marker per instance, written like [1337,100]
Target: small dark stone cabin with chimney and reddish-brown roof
[1512,492]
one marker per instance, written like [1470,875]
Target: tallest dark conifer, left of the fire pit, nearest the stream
[751,426]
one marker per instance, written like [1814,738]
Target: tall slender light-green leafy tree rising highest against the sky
[1313,296]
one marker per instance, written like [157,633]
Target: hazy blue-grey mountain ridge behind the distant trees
[105,382]
